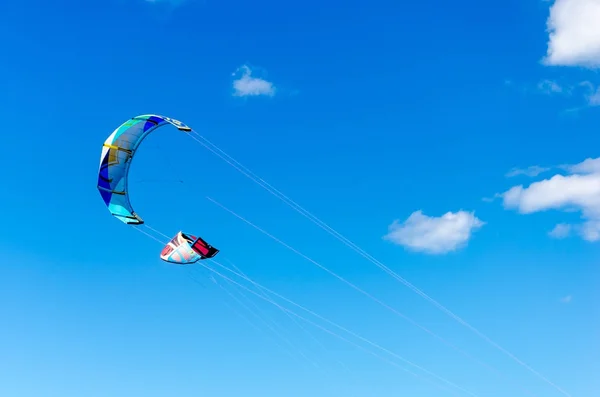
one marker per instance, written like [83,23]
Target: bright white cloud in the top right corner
[574,33]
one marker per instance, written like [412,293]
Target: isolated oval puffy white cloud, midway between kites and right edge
[434,235]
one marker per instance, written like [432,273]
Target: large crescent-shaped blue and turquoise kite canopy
[117,152]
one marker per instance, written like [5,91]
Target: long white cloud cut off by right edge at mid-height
[579,191]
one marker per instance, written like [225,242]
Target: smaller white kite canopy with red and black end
[185,249]
